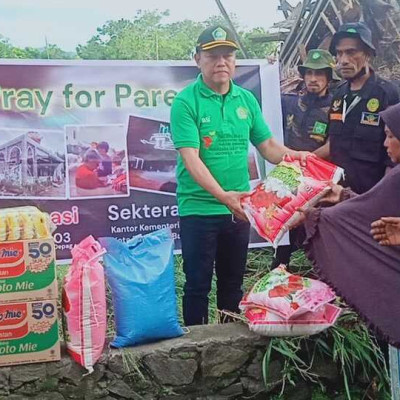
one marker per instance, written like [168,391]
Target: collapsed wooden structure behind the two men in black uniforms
[311,23]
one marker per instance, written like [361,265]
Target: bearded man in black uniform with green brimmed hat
[305,120]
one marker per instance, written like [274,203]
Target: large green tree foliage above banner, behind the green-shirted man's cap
[147,37]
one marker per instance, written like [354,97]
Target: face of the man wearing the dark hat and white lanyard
[351,57]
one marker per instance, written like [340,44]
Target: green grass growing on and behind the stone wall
[348,343]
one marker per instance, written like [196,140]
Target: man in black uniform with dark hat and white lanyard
[356,131]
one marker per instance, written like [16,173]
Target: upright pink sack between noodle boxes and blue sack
[84,304]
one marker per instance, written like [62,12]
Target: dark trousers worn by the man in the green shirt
[209,241]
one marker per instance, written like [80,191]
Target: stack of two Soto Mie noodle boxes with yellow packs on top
[28,288]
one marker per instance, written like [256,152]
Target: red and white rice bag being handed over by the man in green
[272,206]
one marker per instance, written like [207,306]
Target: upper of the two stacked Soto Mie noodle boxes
[27,270]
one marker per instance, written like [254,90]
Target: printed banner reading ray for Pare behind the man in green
[90,142]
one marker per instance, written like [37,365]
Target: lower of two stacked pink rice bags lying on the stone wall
[266,323]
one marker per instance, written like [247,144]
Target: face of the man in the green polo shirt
[217,65]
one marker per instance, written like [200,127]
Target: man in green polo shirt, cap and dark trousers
[213,121]
